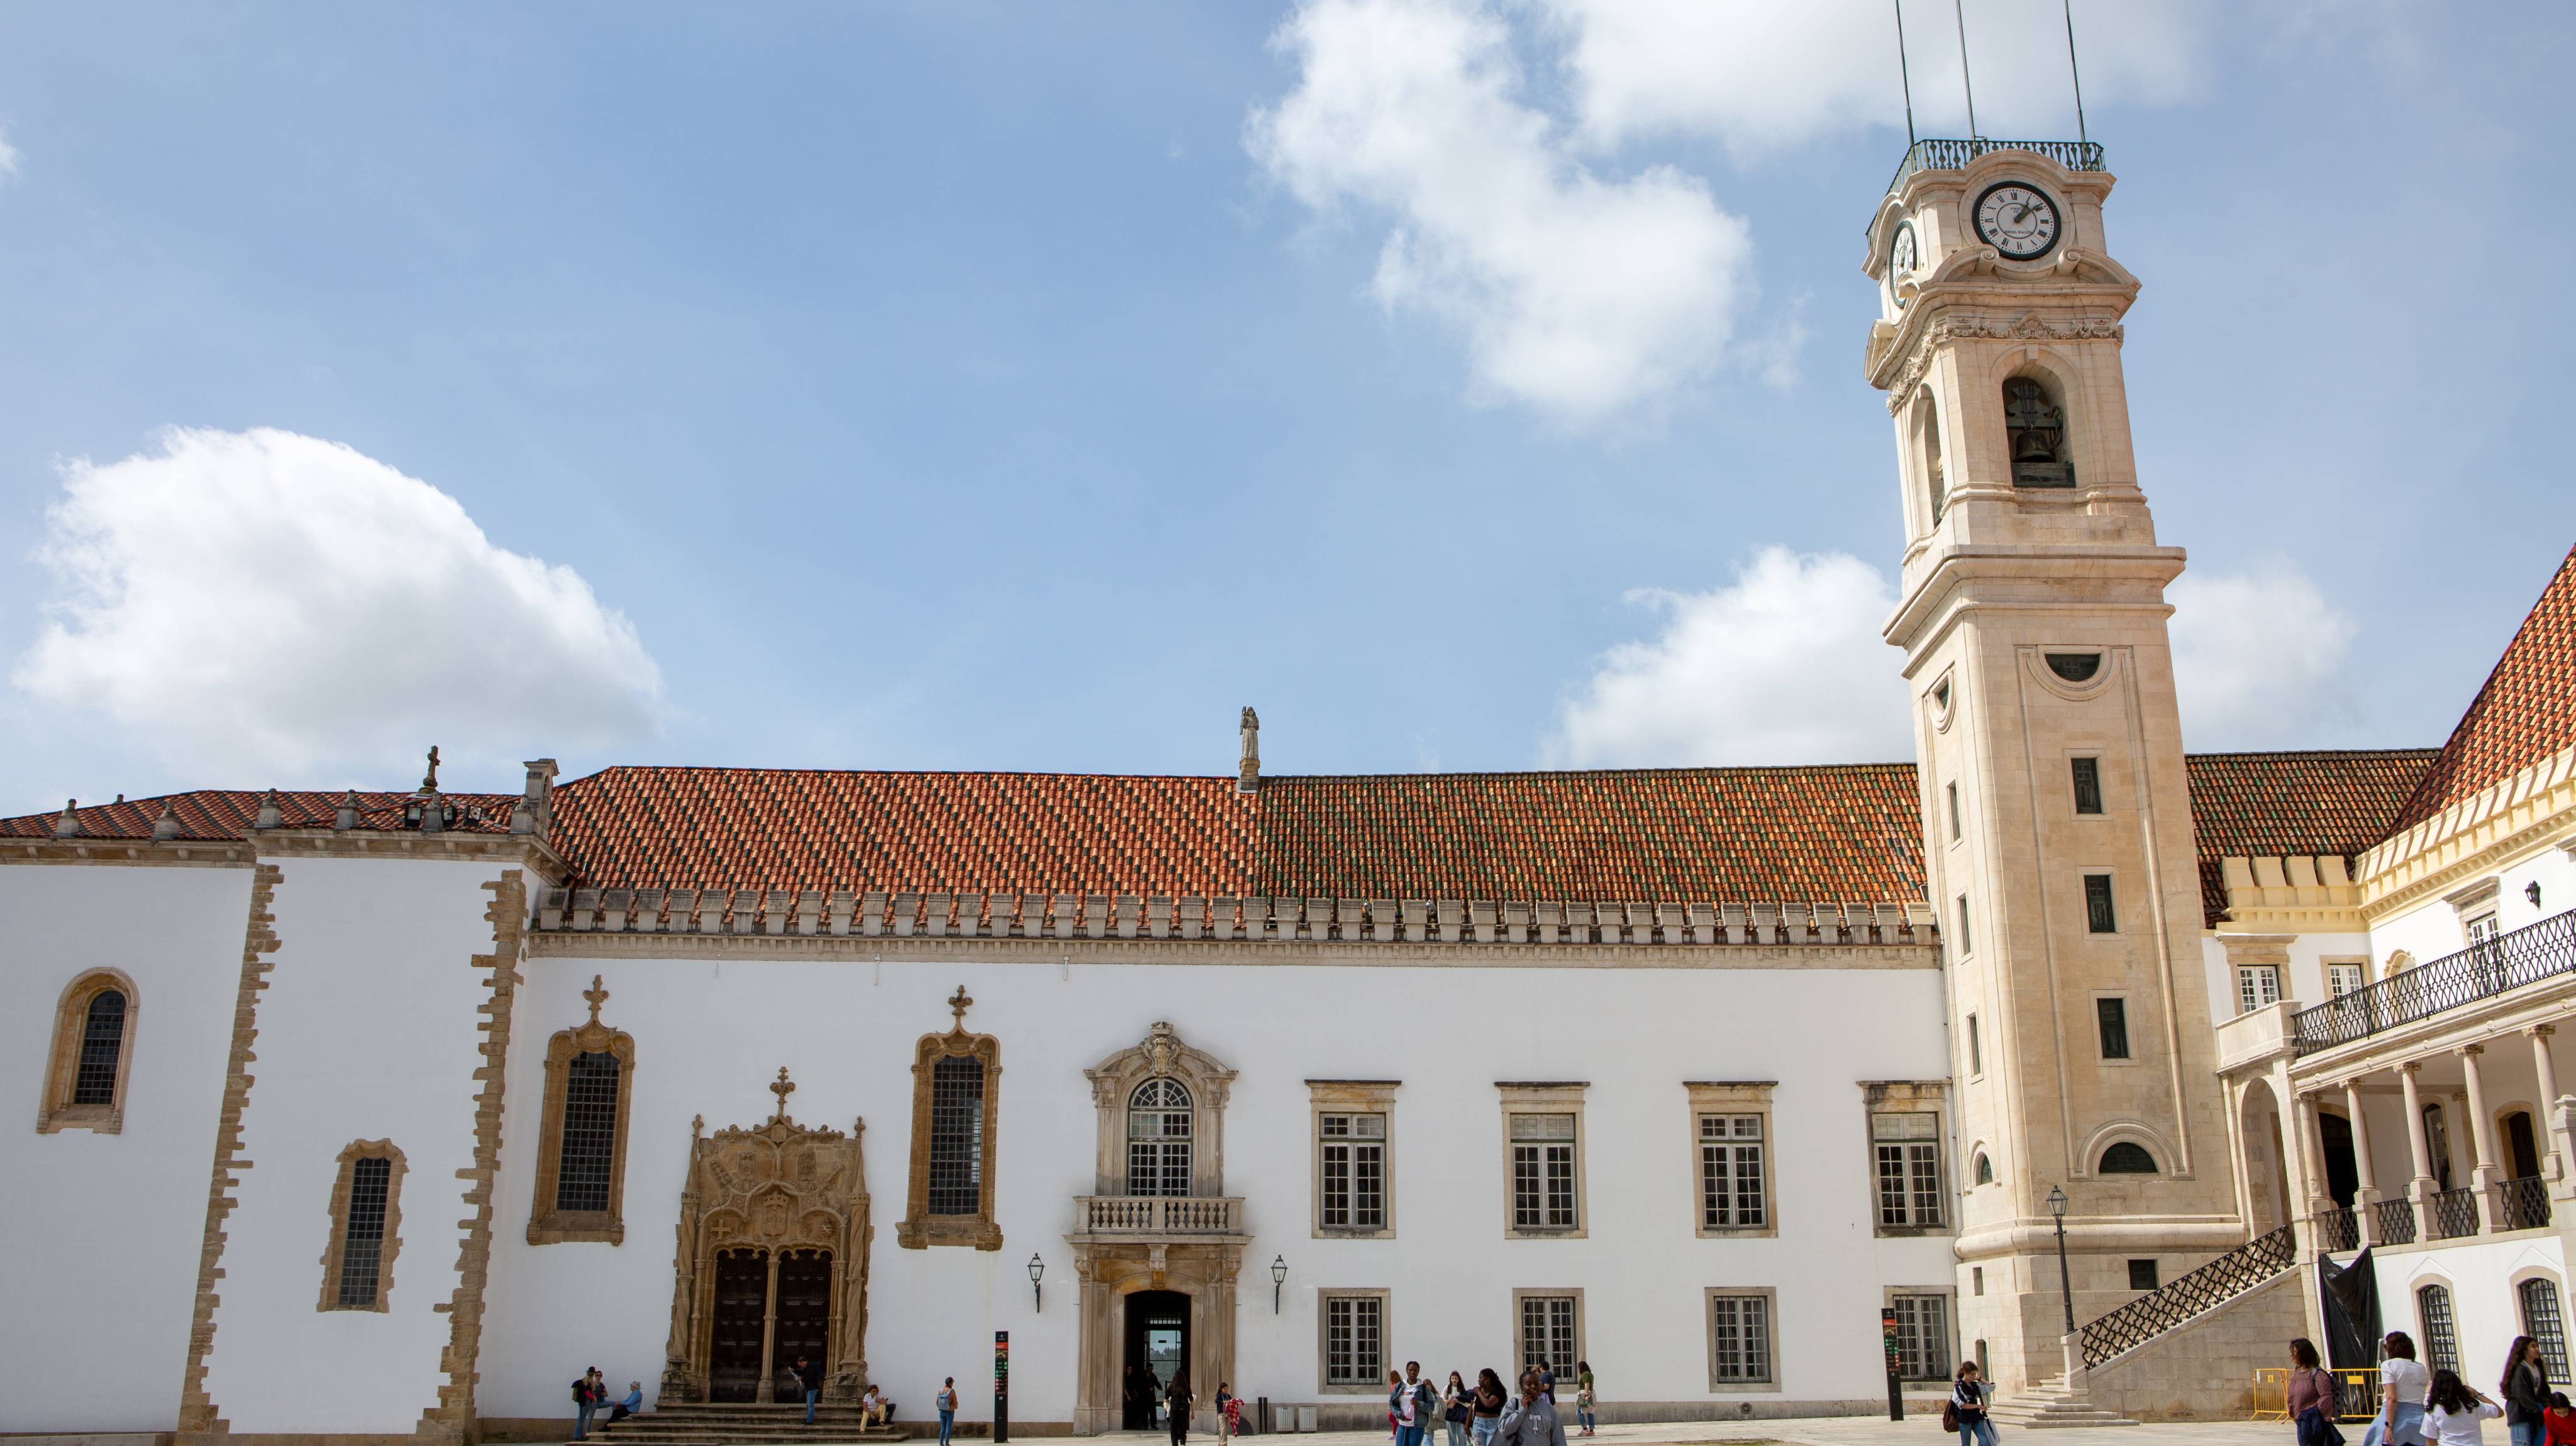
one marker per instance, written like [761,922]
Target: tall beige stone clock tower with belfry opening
[2057,821]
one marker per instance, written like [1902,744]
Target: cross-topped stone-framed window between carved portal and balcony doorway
[949,1192]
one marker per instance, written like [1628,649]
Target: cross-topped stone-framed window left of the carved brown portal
[581,1143]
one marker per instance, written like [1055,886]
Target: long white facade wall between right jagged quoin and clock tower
[710,1037]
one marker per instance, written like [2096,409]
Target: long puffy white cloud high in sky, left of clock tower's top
[1578,295]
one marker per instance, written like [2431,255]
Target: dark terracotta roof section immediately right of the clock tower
[2297,803]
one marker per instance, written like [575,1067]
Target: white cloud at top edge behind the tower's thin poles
[1766,76]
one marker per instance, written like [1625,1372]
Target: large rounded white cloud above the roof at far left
[277,610]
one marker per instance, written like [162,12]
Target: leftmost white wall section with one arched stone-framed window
[112,1220]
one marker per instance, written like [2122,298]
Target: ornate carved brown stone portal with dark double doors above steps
[774,1262]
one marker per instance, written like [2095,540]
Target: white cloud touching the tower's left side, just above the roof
[1784,666]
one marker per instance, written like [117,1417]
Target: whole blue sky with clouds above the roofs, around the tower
[1034,385]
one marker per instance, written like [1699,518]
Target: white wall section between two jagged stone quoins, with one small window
[370,1030]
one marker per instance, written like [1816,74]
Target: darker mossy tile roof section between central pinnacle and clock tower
[1619,834]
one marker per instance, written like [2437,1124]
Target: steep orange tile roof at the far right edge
[2523,713]
